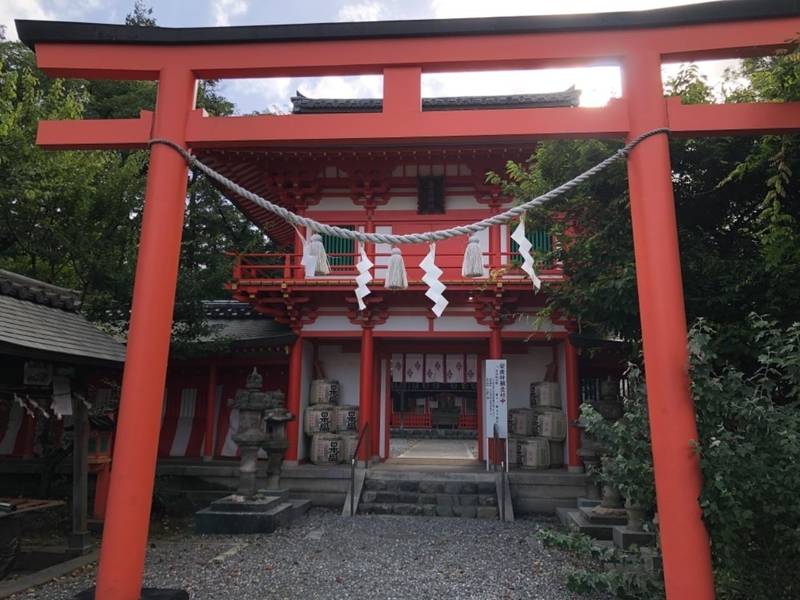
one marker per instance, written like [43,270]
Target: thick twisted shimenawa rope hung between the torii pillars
[410,238]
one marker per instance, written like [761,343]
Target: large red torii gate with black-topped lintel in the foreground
[402,51]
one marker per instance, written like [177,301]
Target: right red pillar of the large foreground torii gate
[684,540]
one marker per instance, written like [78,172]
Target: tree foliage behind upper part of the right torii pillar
[737,208]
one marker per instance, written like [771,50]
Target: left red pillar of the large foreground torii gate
[132,479]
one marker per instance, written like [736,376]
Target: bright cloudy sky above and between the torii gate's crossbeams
[598,84]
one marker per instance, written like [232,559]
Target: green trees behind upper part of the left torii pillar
[73,218]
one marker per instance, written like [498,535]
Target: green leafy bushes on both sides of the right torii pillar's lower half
[749,449]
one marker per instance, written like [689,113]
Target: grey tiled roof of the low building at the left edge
[41,317]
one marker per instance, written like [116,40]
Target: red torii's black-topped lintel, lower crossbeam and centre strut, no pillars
[401,51]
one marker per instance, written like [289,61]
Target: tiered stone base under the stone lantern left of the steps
[263,513]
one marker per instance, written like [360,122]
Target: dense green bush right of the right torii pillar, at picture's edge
[749,448]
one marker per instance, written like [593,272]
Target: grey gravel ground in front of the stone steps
[324,555]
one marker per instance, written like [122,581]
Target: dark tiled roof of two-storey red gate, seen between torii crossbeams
[303,105]
